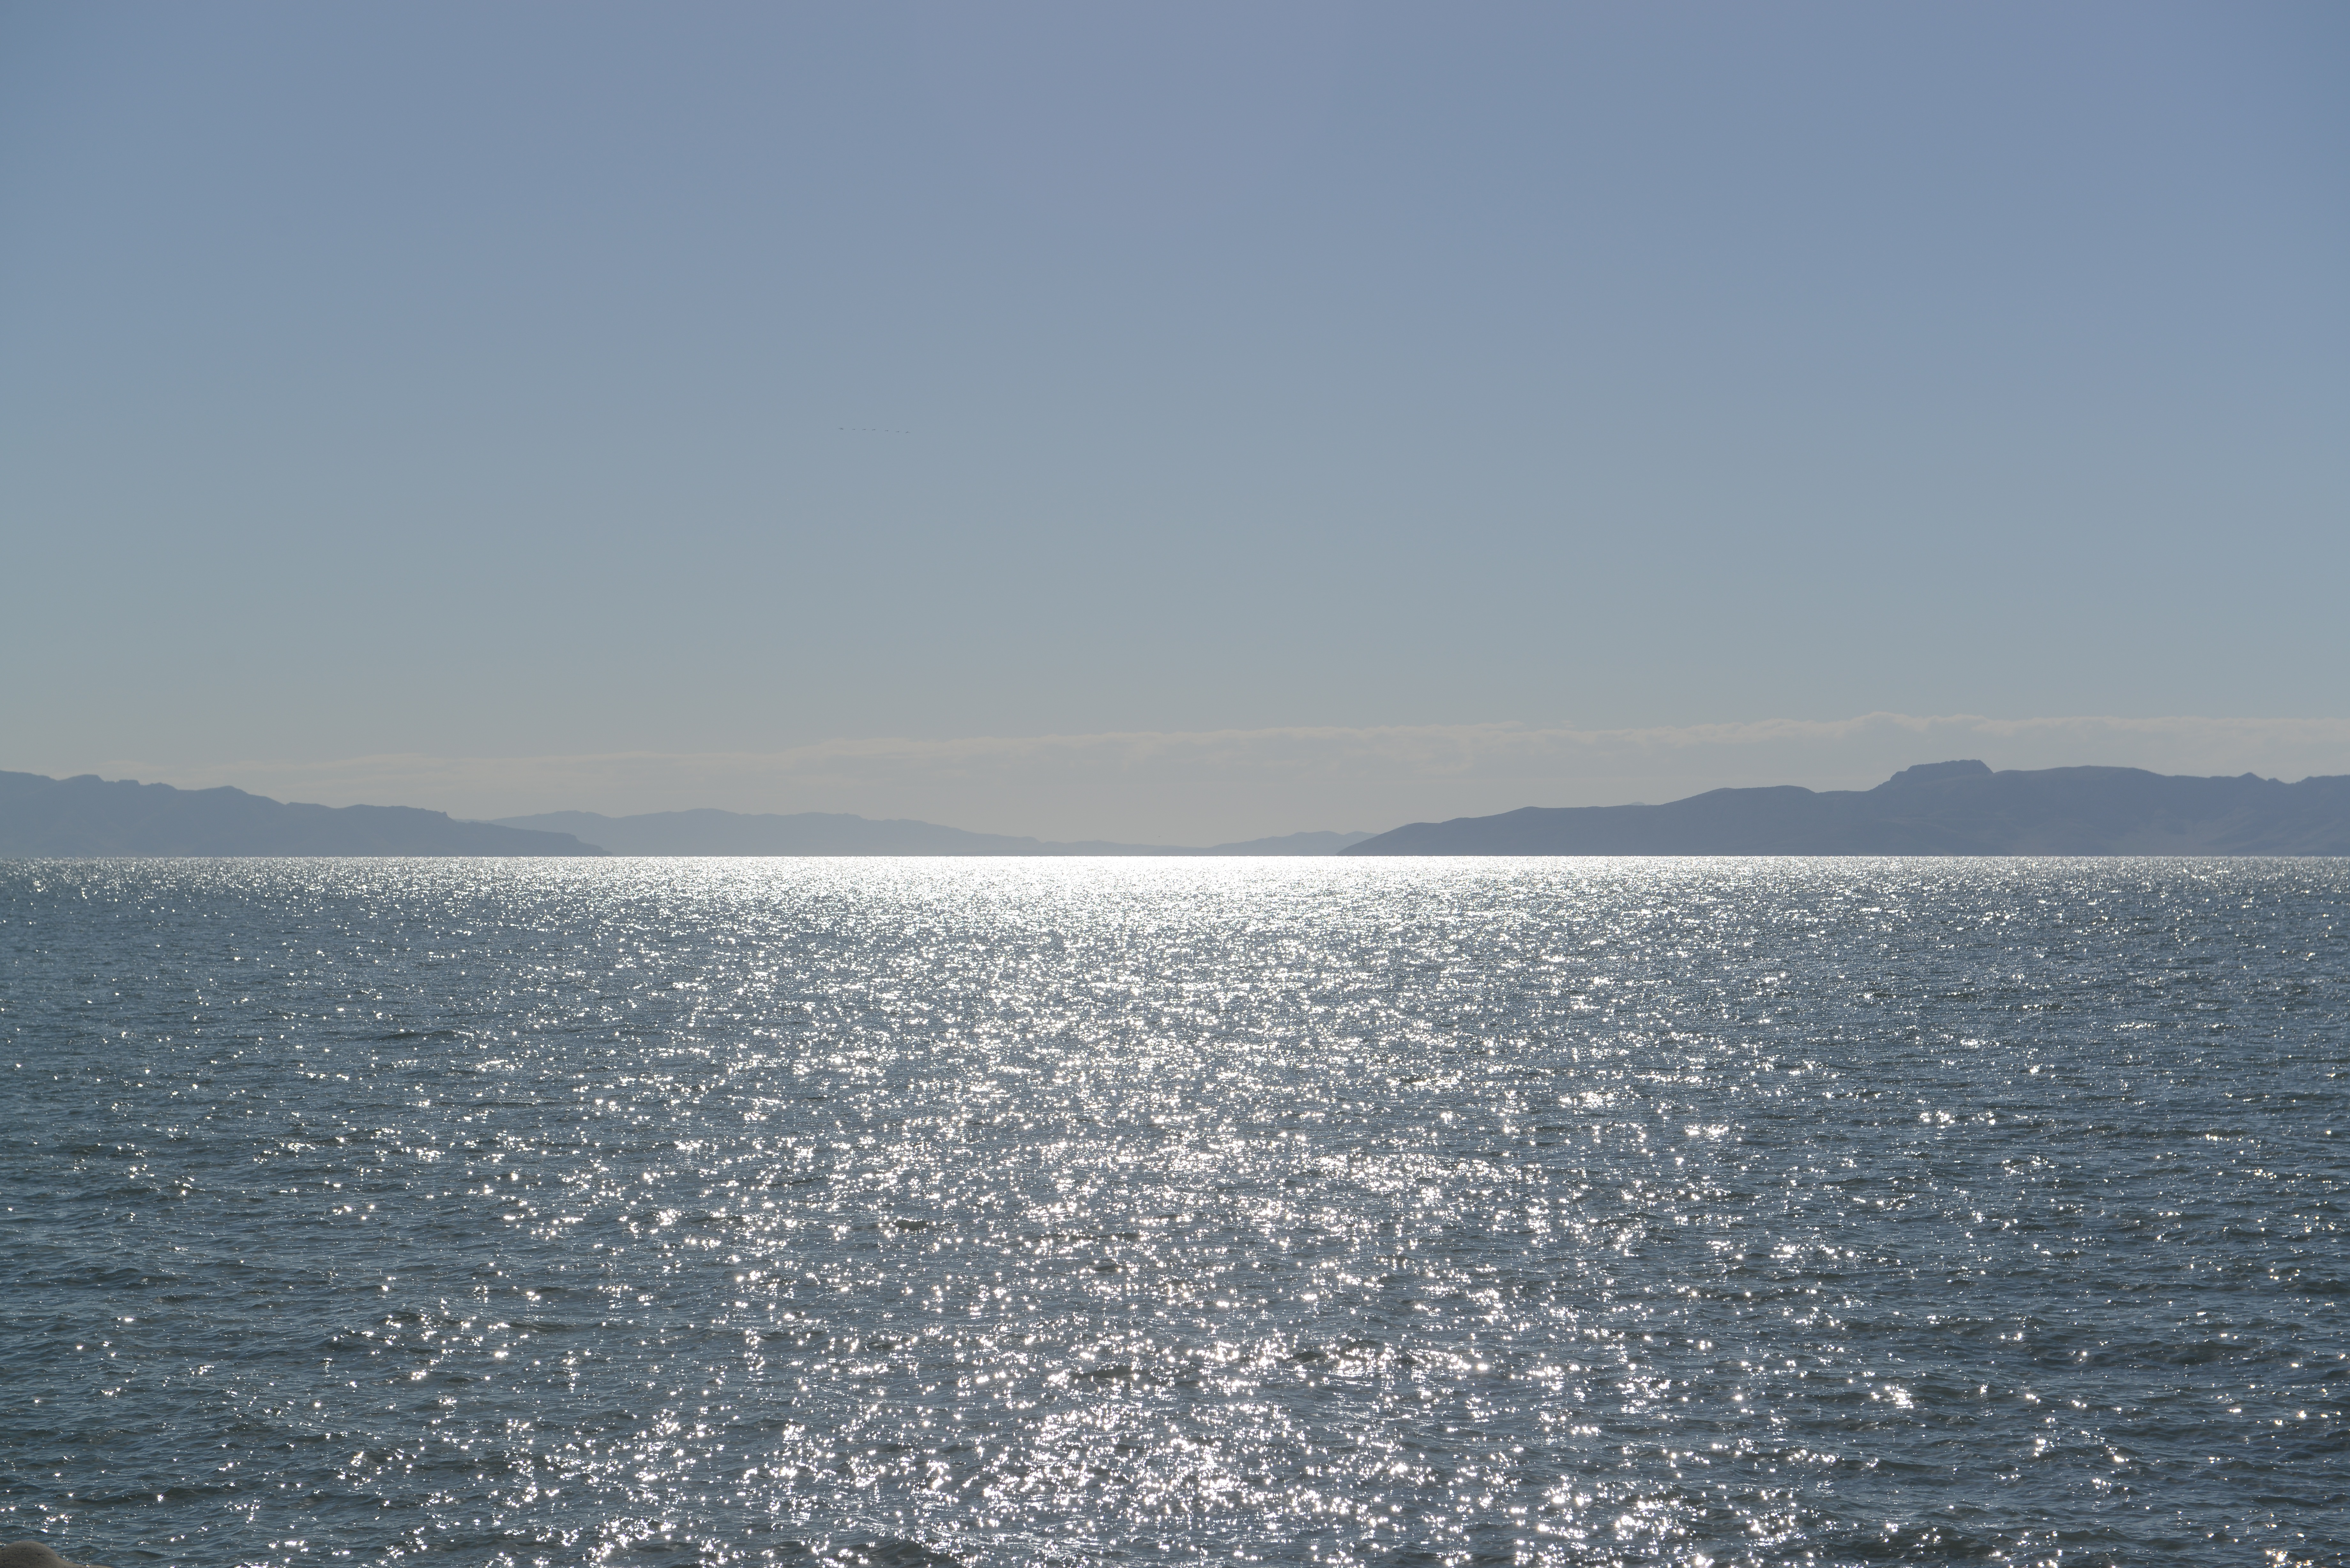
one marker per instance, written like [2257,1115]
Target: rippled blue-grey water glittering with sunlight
[1132,1212]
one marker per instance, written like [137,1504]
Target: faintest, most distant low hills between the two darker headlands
[828,833]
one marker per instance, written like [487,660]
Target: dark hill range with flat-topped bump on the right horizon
[1933,810]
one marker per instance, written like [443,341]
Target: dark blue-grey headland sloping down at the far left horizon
[93,817]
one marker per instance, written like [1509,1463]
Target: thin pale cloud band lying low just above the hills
[1233,784]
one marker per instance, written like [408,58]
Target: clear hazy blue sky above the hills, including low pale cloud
[1169,424]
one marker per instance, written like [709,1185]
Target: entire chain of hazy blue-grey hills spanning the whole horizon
[1933,810]
